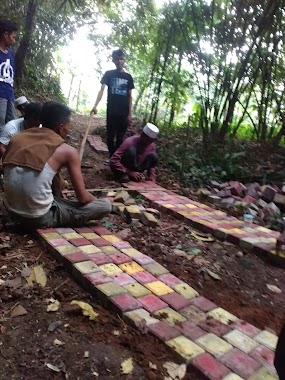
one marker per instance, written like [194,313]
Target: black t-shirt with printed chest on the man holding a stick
[119,83]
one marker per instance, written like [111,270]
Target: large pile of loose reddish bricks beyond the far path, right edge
[265,202]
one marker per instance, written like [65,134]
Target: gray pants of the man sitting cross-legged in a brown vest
[65,213]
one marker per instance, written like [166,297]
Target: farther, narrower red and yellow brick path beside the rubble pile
[258,239]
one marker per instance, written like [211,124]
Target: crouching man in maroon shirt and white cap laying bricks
[136,155]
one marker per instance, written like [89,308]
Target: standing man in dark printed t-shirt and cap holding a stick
[119,101]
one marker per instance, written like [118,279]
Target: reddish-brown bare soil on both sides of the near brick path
[96,349]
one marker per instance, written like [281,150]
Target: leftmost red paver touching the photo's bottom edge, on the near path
[210,367]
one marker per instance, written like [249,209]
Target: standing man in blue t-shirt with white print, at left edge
[7,67]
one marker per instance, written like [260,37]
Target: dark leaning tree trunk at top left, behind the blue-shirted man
[26,39]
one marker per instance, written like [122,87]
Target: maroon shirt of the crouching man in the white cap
[132,141]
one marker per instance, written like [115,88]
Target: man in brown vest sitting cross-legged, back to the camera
[32,160]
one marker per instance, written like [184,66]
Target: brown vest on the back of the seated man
[32,148]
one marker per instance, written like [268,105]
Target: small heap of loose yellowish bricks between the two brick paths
[125,205]
